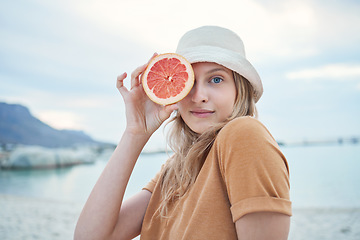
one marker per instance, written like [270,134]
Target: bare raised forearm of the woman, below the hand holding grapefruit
[101,211]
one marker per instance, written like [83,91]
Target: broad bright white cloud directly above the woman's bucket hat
[159,24]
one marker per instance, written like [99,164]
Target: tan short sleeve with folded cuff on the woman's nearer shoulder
[253,168]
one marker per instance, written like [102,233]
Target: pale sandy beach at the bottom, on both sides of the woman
[31,218]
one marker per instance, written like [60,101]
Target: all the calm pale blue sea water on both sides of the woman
[320,177]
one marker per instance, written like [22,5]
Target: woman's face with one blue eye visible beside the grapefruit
[212,98]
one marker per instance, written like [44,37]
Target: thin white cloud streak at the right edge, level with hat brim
[338,72]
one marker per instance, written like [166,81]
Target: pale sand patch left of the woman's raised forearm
[32,218]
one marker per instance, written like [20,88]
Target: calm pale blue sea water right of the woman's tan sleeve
[324,176]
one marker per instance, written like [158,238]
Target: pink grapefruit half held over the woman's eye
[168,78]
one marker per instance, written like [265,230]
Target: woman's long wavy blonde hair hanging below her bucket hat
[191,149]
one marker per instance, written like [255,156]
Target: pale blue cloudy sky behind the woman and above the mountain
[61,59]
